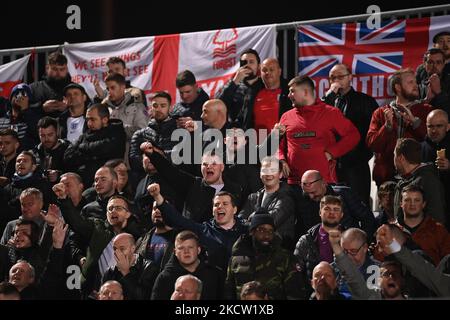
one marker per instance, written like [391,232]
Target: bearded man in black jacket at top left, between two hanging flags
[48,93]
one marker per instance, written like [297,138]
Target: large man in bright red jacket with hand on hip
[316,134]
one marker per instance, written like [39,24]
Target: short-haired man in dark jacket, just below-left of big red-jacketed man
[276,198]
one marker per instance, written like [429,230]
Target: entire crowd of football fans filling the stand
[94,203]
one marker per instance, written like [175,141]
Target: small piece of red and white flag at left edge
[12,73]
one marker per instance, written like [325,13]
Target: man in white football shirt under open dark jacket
[72,122]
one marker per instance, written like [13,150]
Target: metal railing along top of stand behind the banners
[287,45]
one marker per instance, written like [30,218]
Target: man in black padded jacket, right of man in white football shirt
[104,140]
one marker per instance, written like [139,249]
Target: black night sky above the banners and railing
[37,23]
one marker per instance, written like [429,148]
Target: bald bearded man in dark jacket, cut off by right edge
[438,138]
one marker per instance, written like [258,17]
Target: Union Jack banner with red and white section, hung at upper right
[371,54]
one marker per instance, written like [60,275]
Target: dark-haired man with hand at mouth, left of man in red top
[240,92]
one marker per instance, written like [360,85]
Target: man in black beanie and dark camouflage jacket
[258,256]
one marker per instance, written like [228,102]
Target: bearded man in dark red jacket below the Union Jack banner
[404,117]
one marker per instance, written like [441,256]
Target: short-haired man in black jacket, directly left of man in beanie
[186,261]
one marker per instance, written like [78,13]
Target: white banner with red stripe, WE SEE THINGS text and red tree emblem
[154,62]
